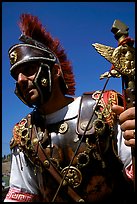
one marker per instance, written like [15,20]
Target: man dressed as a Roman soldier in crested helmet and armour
[68,148]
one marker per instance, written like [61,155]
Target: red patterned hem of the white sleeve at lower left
[19,196]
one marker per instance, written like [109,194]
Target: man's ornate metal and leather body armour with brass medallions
[77,157]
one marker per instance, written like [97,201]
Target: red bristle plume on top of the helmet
[31,26]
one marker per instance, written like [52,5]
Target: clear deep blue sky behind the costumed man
[78,25]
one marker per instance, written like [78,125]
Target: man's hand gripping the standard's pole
[127,123]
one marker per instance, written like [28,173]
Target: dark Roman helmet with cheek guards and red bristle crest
[39,46]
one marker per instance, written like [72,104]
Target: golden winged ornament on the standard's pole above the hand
[122,57]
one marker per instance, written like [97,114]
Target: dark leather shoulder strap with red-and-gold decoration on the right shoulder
[96,105]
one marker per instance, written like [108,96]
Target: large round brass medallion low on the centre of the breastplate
[72,176]
